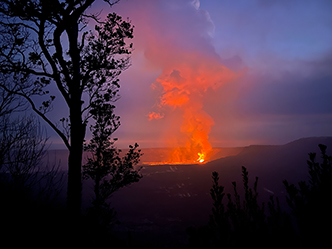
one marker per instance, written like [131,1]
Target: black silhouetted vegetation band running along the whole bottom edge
[237,220]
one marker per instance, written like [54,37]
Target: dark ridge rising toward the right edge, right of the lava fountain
[273,163]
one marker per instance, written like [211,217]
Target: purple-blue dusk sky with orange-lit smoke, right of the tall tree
[249,71]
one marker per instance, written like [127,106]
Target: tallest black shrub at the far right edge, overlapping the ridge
[311,202]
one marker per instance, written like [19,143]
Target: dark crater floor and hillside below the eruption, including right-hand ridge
[170,198]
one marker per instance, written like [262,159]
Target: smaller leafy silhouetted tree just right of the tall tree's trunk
[106,167]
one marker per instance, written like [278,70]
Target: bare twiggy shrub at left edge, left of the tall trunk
[22,147]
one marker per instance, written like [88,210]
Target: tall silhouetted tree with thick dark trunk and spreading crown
[44,43]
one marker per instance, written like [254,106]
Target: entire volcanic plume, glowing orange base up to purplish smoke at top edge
[174,41]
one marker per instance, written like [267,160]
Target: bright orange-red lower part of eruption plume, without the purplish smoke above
[184,85]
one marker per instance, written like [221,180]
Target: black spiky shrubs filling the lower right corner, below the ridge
[246,223]
